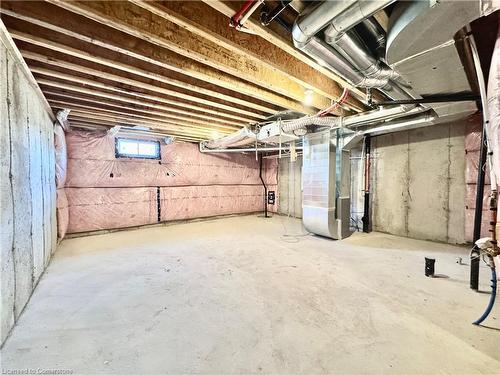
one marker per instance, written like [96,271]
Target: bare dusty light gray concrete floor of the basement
[235,295]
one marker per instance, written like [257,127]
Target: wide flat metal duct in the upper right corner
[431,62]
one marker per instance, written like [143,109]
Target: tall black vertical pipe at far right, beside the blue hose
[478,213]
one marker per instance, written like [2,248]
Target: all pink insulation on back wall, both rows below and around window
[106,192]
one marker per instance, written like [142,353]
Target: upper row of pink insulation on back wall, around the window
[181,164]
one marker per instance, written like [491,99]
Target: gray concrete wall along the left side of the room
[27,182]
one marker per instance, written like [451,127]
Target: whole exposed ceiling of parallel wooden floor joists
[174,65]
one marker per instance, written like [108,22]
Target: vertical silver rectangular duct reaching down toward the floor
[325,185]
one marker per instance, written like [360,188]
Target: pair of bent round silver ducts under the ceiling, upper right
[342,51]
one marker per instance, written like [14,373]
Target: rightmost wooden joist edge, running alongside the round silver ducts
[229,8]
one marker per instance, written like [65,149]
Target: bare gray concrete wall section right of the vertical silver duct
[418,184]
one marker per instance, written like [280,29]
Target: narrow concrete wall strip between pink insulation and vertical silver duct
[290,187]
